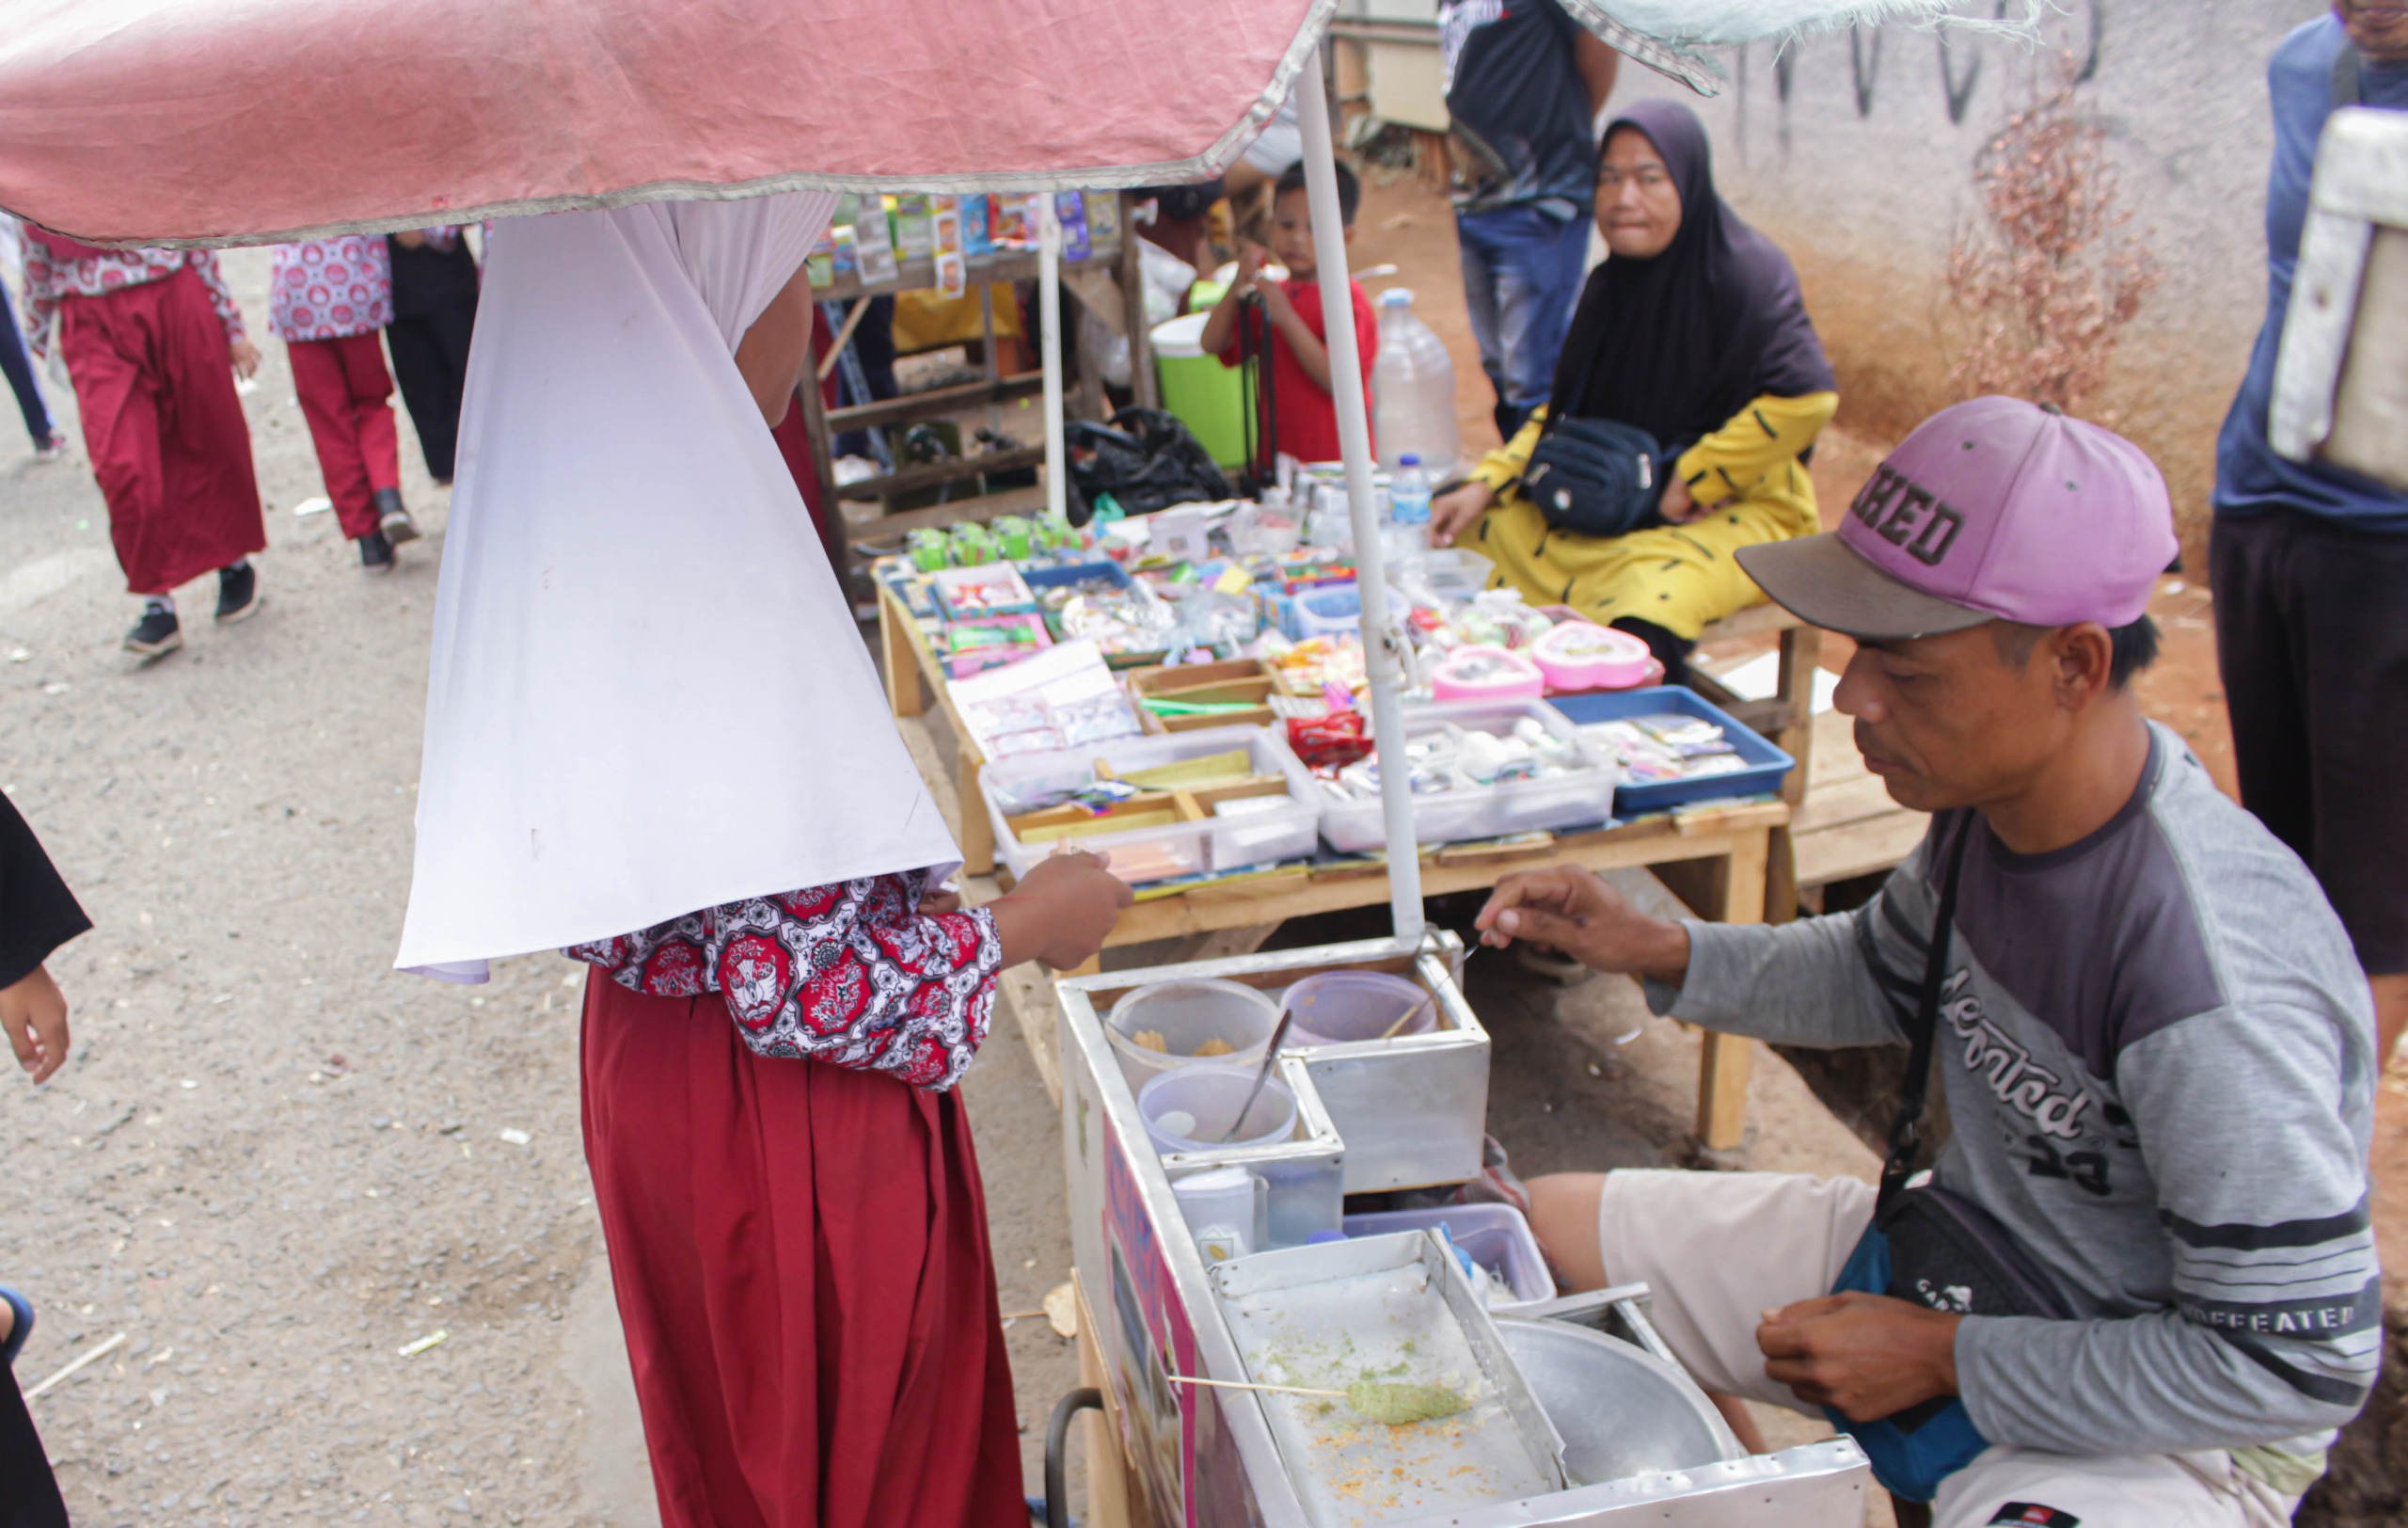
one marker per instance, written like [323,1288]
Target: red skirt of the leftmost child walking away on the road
[167,435]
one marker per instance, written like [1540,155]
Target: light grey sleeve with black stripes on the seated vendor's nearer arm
[2262,1197]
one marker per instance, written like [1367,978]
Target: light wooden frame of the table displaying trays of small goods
[1723,854]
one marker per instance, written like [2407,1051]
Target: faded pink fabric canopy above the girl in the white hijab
[237,122]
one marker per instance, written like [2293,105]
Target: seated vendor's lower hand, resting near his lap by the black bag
[1867,1356]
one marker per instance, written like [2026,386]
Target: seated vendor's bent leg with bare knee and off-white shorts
[1716,1250]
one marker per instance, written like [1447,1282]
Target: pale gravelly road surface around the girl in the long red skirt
[273,1163]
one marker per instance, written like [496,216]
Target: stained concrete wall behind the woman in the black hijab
[1855,153]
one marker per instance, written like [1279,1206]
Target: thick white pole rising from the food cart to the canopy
[1381,635]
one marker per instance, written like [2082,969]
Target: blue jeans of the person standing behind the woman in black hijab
[1521,278]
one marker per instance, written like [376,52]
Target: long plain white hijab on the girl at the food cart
[647,688]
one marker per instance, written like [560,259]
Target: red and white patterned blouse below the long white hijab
[851,975]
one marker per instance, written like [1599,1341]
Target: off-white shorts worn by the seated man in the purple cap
[1723,1250]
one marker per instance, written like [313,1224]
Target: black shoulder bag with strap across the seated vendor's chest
[1935,1250]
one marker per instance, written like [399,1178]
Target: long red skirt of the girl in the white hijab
[801,1257]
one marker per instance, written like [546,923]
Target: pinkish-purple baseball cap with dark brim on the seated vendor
[1993,510]
